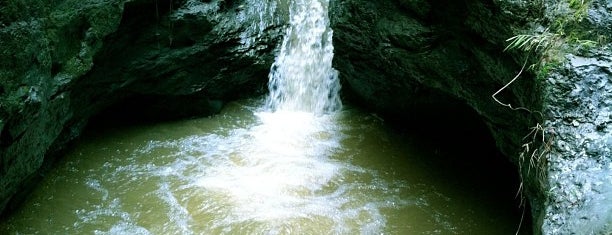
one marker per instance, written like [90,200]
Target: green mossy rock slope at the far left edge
[34,105]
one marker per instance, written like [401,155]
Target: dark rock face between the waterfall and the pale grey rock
[401,56]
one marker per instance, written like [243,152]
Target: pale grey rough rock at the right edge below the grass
[581,168]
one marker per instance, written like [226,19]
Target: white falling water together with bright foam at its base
[284,178]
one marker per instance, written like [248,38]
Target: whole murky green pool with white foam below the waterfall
[250,172]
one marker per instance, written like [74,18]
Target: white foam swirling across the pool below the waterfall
[282,173]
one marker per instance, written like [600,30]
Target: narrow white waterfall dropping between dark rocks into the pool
[302,77]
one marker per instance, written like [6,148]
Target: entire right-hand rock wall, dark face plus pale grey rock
[399,56]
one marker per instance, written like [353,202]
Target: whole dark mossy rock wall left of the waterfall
[63,61]
